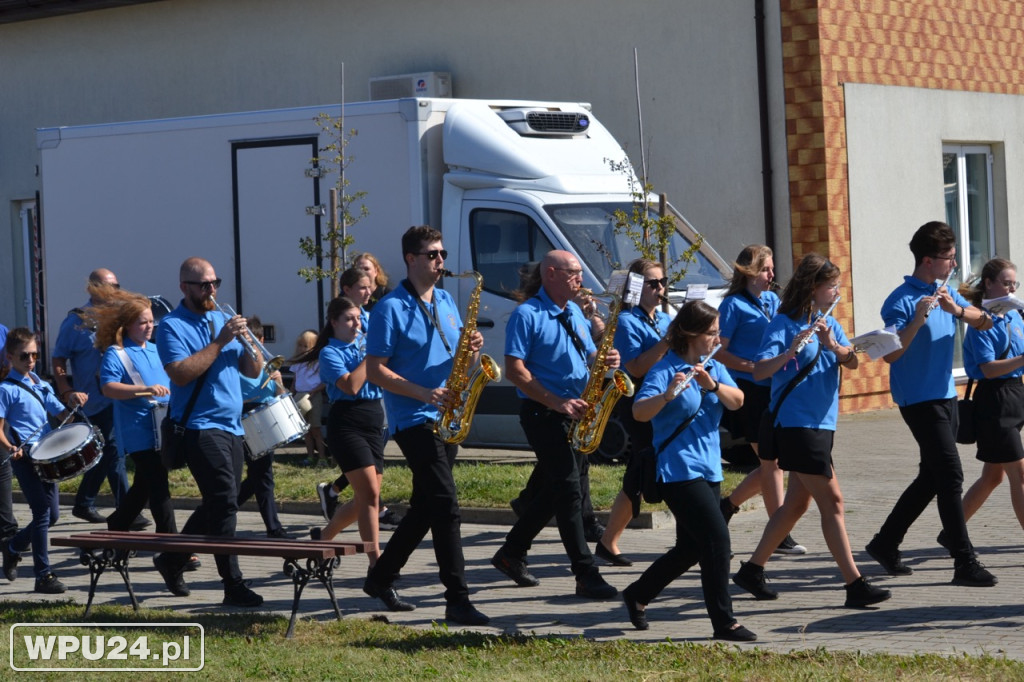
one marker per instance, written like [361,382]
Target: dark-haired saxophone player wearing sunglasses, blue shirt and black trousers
[410,345]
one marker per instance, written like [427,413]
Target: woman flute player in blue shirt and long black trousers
[690,467]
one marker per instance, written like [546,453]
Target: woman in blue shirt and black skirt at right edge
[995,360]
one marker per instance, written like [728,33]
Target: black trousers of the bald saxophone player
[560,492]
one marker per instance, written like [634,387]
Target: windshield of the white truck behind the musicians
[591,229]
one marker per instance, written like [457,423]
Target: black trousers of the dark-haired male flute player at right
[941,476]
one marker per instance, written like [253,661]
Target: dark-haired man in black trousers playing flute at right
[925,316]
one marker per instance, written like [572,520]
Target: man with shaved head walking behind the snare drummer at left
[75,346]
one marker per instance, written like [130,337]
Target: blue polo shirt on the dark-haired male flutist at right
[924,372]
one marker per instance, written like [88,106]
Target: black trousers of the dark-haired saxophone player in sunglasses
[435,507]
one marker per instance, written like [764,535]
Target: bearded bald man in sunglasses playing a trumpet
[201,355]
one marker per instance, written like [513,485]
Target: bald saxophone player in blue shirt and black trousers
[548,351]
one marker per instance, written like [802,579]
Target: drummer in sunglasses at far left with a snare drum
[25,403]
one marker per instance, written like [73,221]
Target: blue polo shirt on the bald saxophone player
[535,336]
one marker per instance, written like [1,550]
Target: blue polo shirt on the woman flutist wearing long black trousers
[696,453]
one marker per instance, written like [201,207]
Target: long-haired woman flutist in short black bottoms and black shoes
[805,425]
